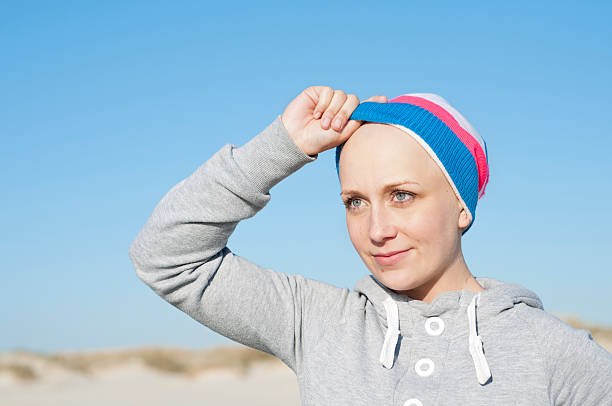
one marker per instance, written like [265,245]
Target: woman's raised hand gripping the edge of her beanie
[311,118]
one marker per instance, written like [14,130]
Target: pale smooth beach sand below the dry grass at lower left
[136,383]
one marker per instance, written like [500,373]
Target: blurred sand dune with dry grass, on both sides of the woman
[160,376]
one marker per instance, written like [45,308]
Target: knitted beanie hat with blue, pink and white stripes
[444,133]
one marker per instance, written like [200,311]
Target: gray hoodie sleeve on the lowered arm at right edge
[581,369]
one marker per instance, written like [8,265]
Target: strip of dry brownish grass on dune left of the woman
[27,365]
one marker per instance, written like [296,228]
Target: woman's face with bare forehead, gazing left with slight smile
[398,199]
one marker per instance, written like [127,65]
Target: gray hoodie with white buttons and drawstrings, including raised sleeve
[363,346]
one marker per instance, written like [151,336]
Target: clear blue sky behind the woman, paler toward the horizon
[104,106]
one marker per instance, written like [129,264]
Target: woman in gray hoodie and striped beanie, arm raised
[421,330]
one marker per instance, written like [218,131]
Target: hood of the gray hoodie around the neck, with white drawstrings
[466,307]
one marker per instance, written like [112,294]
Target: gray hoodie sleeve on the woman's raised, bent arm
[181,252]
